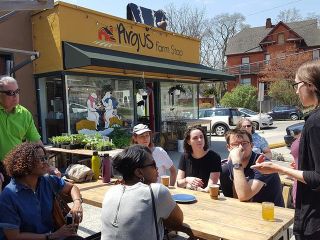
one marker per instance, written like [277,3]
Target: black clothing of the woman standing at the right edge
[307,213]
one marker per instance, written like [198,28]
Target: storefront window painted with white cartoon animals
[98,103]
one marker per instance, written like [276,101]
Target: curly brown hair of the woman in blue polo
[21,161]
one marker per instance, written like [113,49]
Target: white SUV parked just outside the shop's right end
[222,119]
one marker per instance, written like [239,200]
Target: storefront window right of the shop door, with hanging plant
[178,100]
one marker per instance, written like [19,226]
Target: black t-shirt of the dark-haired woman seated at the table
[200,167]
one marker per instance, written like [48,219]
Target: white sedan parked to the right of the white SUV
[266,119]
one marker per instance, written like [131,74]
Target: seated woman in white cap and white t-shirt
[142,135]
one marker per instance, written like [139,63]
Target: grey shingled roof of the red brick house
[248,39]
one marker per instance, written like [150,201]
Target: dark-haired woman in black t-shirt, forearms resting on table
[198,166]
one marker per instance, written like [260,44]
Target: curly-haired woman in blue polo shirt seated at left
[26,202]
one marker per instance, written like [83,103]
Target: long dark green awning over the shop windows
[77,56]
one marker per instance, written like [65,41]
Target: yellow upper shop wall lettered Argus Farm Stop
[67,22]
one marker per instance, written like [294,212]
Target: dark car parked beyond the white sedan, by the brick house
[286,112]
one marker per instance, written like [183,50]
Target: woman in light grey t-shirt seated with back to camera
[127,210]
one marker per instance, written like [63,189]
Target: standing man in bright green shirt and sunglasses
[16,122]
